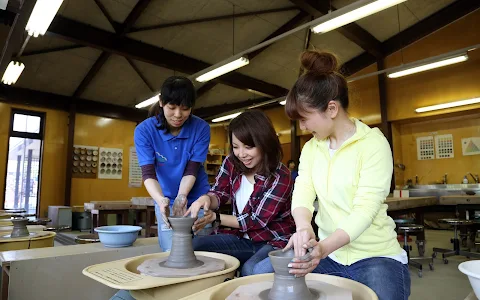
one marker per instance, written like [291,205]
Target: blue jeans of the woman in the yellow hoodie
[388,278]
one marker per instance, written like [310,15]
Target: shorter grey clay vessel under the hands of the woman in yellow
[285,285]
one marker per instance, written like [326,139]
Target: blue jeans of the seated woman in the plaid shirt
[252,256]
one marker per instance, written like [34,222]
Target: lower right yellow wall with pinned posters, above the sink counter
[431,171]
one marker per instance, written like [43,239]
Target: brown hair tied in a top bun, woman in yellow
[320,84]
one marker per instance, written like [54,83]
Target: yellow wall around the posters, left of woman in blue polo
[109,133]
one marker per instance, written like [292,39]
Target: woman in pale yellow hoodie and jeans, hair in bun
[349,167]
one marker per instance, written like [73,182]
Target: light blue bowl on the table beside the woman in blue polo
[117,236]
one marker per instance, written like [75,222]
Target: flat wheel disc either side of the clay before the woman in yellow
[260,290]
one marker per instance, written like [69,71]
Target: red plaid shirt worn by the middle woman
[267,216]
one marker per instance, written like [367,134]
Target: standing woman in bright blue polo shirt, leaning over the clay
[172,146]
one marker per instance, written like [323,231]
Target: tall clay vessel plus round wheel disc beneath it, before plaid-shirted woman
[182,261]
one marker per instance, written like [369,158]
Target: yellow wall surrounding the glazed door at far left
[52,189]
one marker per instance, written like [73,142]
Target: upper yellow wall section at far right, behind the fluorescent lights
[450,83]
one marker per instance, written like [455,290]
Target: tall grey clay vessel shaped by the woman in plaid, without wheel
[182,255]
